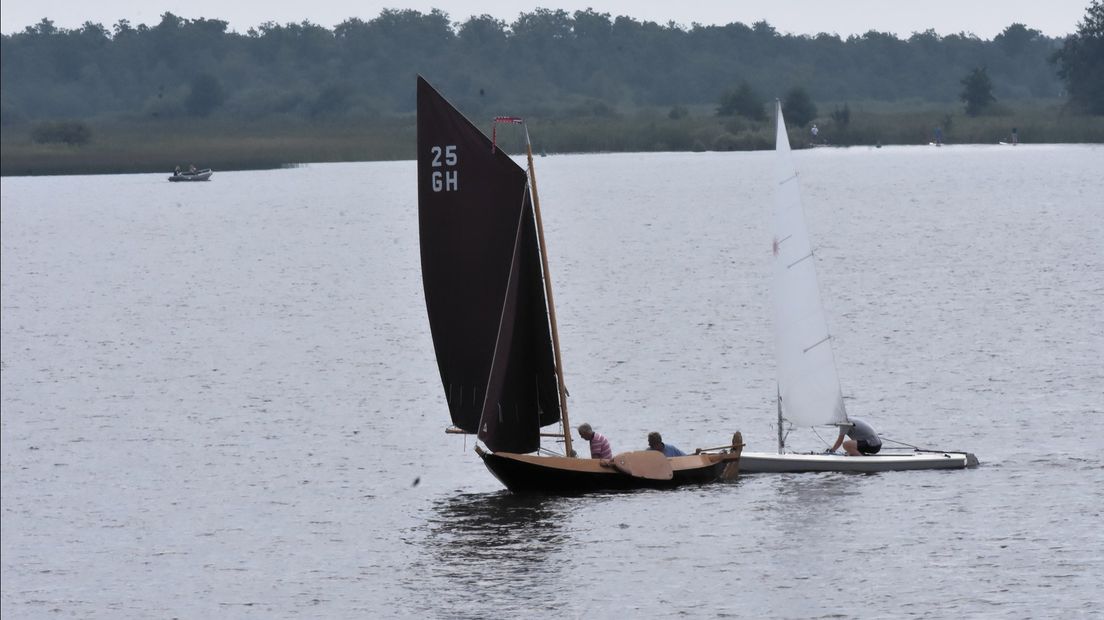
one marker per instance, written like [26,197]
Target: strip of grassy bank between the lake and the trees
[147,147]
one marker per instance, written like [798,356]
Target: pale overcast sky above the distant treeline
[983,18]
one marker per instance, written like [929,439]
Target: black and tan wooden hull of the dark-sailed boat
[562,476]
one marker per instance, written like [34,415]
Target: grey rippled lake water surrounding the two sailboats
[220,400]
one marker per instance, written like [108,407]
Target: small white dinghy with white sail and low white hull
[809,389]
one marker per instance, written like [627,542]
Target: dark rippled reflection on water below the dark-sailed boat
[498,546]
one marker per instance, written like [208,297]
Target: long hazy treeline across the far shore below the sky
[553,62]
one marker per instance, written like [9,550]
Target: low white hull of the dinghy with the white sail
[771,463]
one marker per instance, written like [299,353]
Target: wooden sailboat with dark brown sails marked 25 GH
[489,295]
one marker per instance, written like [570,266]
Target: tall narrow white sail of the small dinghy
[806,367]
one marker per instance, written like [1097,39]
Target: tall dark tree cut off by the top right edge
[1081,62]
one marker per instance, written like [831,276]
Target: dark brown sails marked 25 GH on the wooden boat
[482,275]
